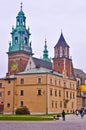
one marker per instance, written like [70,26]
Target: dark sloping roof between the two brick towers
[42,63]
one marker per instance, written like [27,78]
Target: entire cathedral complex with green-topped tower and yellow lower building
[42,85]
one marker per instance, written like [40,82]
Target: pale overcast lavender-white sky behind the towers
[46,19]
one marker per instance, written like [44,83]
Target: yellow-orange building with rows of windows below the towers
[41,90]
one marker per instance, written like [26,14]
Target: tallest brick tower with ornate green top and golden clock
[20,47]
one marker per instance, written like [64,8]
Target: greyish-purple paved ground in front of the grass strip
[72,122]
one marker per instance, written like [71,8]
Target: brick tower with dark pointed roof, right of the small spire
[62,62]
